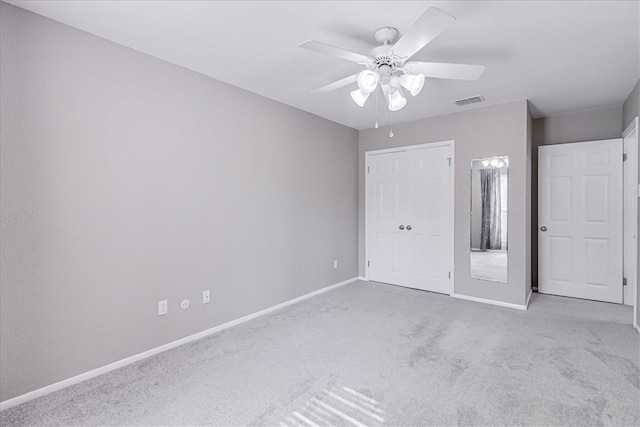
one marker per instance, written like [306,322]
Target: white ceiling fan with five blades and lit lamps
[388,69]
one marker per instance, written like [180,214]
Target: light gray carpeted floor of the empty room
[374,354]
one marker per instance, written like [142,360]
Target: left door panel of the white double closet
[385,201]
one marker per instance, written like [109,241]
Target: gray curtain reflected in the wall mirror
[490,233]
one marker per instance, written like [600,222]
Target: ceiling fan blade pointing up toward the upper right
[429,26]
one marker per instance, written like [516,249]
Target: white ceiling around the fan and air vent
[563,56]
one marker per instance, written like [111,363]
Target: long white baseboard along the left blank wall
[10,403]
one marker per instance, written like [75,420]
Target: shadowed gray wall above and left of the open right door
[585,126]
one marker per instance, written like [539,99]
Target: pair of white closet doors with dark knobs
[408,218]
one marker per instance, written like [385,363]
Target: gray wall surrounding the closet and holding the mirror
[486,132]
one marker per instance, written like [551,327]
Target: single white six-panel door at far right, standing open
[580,220]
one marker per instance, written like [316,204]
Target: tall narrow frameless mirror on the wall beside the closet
[489,216]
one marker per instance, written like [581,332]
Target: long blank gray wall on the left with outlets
[126,180]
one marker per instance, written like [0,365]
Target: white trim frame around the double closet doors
[452,192]
